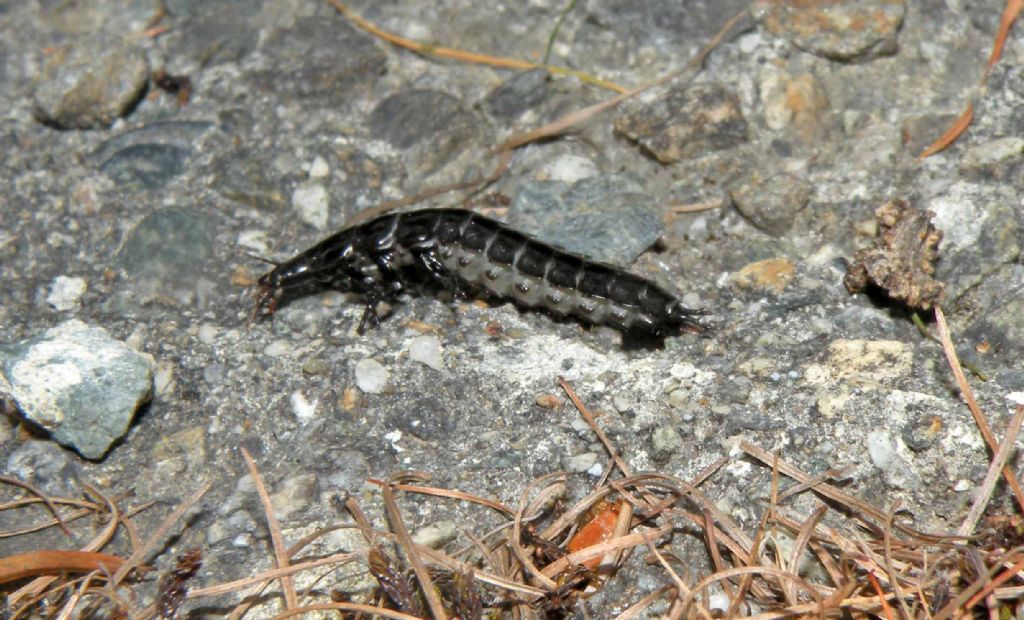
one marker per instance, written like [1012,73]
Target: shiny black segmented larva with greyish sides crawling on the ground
[464,253]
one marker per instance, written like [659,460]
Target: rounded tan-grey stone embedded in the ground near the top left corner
[91,84]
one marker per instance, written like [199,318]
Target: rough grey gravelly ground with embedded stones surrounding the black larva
[134,215]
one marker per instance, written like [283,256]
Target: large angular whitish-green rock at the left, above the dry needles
[78,384]
